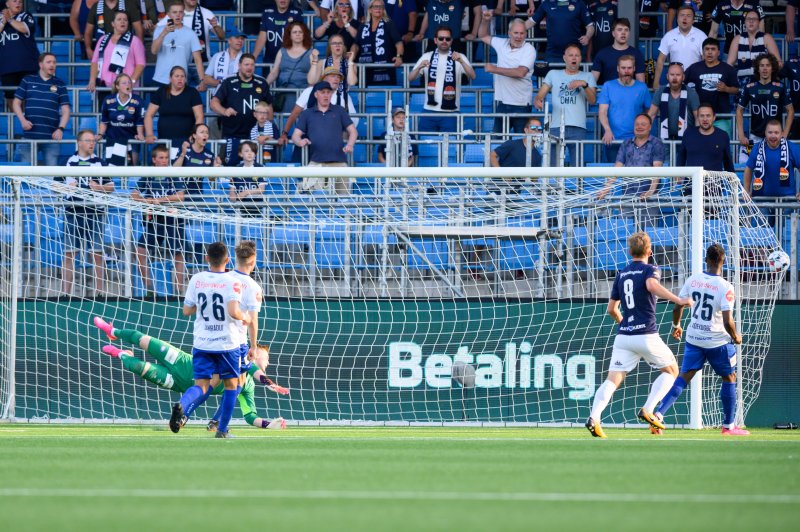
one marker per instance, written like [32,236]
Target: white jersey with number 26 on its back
[210,292]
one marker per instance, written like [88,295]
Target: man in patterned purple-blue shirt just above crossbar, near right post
[642,150]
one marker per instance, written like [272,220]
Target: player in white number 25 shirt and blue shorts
[710,336]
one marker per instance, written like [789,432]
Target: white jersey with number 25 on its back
[711,295]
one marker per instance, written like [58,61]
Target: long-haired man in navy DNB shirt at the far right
[766,99]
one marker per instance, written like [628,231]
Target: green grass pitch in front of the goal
[145,478]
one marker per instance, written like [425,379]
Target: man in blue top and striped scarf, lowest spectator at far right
[770,169]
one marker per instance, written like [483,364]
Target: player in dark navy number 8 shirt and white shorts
[635,289]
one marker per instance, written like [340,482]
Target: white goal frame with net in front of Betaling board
[426,295]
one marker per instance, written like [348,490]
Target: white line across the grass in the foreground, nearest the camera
[749,499]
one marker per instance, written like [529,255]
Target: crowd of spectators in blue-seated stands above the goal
[214,84]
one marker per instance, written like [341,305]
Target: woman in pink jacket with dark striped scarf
[115,53]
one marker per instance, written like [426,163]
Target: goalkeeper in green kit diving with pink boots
[174,371]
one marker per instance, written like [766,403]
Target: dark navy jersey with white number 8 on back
[637,304]
